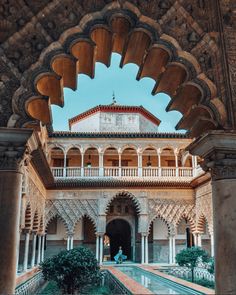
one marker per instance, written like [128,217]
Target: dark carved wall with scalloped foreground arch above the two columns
[45,44]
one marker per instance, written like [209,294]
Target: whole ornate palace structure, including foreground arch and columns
[118,175]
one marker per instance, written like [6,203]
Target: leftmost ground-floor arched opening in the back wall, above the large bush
[56,237]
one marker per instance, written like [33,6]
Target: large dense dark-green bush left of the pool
[72,270]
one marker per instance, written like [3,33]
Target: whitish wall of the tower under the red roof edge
[114,122]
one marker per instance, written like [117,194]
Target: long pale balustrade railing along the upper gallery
[126,172]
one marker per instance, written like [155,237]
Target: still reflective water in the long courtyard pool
[155,283]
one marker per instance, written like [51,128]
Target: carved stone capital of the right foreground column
[218,150]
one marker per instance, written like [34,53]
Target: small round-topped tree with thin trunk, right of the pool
[191,257]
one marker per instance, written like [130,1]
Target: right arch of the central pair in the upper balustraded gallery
[129,162]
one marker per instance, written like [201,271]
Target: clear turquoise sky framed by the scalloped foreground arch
[128,91]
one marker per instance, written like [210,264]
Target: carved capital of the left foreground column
[16,146]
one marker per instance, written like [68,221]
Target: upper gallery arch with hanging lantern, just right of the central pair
[150,162]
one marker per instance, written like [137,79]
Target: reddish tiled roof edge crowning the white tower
[114,108]
